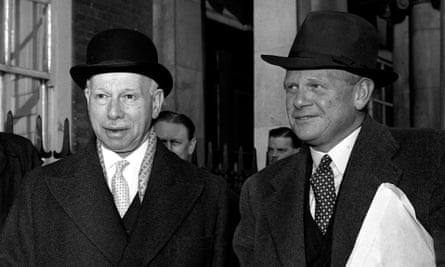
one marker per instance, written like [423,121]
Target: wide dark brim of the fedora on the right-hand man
[380,77]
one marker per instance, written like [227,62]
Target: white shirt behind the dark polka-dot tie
[339,154]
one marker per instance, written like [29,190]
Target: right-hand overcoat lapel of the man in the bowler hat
[169,198]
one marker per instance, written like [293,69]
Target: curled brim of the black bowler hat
[81,73]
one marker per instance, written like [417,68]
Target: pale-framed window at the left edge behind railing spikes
[25,63]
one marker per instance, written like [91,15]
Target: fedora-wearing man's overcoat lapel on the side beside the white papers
[369,166]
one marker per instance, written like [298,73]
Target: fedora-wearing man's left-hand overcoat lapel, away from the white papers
[284,206]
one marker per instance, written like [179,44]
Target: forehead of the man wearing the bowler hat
[126,79]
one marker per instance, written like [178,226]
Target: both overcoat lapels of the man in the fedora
[370,165]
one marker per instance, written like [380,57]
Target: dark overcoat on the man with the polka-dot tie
[271,230]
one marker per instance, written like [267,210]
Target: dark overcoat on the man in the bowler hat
[65,216]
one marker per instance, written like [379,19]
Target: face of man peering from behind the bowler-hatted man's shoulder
[175,138]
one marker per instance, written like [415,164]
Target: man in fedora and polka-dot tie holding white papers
[308,209]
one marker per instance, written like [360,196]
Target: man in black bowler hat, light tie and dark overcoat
[123,200]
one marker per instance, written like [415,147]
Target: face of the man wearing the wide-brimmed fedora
[323,106]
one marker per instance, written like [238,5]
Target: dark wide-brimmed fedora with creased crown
[335,40]
